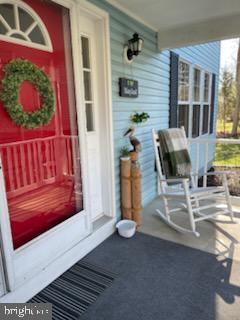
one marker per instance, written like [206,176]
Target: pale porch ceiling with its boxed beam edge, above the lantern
[186,22]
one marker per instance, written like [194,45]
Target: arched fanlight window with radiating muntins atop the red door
[20,24]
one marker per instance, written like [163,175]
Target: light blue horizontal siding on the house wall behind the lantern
[151,69]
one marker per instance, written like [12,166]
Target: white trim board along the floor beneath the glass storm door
[60,265]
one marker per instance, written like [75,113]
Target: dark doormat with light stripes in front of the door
[73,292]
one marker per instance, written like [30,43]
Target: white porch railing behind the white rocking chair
[211,152]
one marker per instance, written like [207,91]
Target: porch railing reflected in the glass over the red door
[32,163]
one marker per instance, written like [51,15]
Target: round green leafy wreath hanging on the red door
[17,71]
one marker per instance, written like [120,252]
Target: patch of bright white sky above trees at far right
[229,54]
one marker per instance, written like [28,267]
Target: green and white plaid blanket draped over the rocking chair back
[174,153]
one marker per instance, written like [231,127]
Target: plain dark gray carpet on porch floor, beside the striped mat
[161,280]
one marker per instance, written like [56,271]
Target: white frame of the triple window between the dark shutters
[190,102]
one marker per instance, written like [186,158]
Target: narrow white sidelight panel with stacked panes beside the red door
[92,110]
